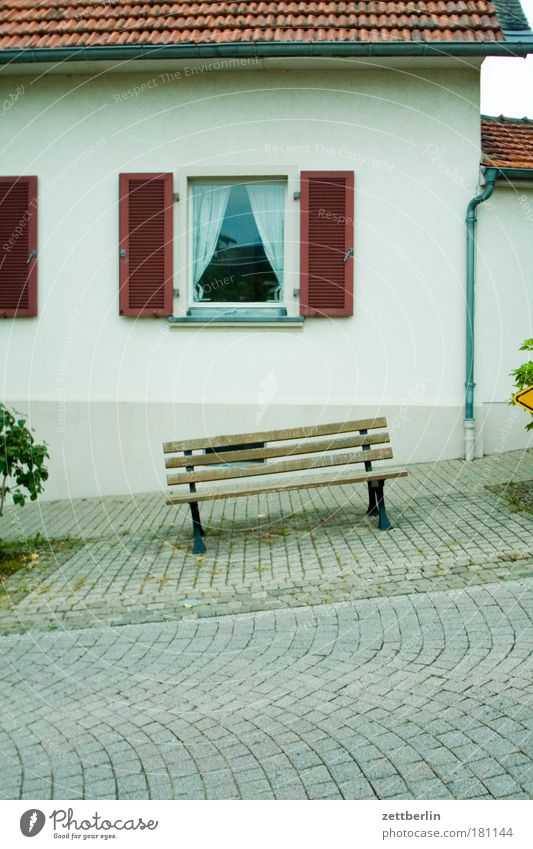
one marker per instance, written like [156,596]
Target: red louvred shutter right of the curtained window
[326,243]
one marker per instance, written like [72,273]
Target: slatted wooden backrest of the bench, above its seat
[209,460]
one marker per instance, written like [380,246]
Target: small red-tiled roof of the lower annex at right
[507,142]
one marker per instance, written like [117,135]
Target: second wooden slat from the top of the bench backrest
[278,450]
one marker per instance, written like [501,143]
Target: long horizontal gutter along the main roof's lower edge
[241,50]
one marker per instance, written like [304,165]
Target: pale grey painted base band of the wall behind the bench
[107,448]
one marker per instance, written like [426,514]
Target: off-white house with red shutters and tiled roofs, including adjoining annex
[226,217]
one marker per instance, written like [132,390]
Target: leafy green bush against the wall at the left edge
[21,460]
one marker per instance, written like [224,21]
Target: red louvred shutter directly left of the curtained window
[146,244]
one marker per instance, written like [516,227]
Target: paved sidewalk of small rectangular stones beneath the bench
[266,552]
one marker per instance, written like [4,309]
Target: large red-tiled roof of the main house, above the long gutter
[86,23]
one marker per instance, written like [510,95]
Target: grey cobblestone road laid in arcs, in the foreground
[410,696]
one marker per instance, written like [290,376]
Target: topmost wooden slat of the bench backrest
[274,435]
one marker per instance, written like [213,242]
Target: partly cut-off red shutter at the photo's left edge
[18,246]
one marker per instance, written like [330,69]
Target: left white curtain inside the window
[209,207]
